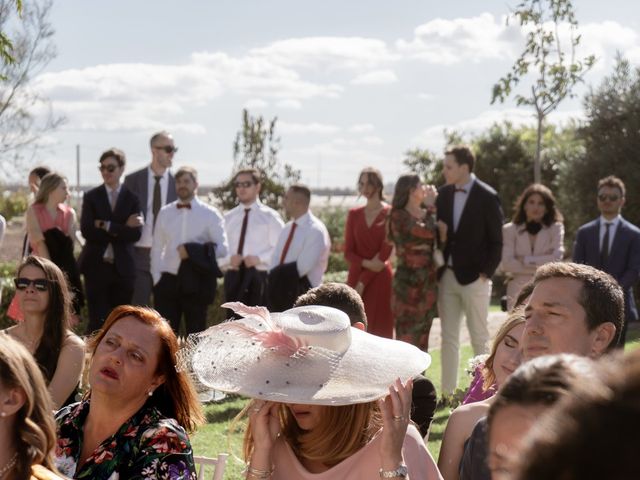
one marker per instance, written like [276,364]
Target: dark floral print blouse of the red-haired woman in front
[147,446]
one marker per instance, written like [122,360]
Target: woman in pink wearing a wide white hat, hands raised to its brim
[328,399]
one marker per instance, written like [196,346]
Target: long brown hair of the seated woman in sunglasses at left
[56,322]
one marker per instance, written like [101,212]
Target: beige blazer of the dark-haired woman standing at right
[520,259]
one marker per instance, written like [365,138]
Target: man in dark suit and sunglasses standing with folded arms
[111,224]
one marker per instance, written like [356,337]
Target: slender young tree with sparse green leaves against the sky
[547,56]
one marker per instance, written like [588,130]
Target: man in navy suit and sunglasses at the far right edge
[612,244]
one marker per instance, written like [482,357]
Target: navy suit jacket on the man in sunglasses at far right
[623,263]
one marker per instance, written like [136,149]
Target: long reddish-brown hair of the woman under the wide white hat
[342,432]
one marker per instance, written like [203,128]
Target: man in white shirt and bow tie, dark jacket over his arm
[188,238]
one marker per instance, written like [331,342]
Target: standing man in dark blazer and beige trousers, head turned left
[473,217]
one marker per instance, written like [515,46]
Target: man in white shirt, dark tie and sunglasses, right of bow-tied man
[253,230]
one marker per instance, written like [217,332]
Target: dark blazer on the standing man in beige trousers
[477,244]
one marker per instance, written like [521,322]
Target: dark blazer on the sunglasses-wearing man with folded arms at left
[95,206]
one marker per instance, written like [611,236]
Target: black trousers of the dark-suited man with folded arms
[105,289]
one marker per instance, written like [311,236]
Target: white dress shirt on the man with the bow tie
[175,226]
